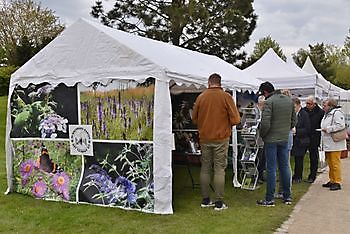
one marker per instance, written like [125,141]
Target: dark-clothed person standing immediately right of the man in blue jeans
[301,140]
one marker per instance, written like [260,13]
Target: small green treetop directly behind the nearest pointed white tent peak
[260,48]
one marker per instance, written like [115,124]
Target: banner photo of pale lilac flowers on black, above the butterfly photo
[43,111]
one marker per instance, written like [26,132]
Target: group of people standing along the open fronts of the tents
[286,130]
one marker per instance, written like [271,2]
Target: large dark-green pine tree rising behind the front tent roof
[217,27]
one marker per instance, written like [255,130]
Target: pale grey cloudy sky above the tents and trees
[292,24]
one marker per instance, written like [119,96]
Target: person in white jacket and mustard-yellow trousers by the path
[332,121]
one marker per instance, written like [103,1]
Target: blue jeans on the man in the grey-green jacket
[277,154]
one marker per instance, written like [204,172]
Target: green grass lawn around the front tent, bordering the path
[24,214]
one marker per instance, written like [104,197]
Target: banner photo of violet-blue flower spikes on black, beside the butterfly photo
[119,175]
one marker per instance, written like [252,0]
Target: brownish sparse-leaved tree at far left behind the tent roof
[24,24]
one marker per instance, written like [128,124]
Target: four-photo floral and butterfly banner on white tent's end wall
[119,170]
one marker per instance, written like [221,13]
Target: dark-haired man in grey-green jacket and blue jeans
[278,118]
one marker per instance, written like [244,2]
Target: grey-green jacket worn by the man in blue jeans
[278,117]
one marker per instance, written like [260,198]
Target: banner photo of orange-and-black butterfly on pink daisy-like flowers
[46,170]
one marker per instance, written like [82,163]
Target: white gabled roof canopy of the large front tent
[89,52]
